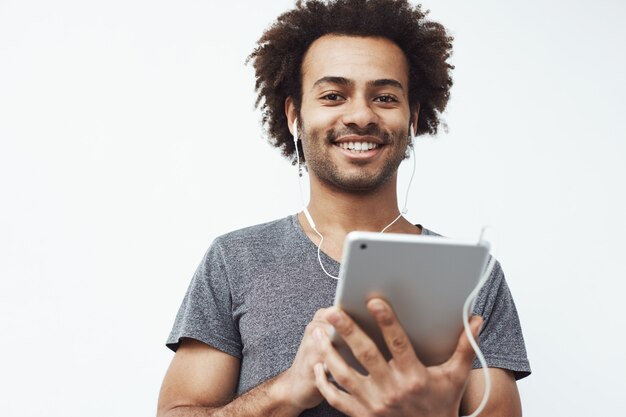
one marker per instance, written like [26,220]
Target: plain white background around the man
[129,140]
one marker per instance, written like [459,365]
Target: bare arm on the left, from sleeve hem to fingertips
[202,380]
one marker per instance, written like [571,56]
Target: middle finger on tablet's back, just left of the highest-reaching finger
[362,347]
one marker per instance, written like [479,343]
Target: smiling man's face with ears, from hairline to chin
[355,99]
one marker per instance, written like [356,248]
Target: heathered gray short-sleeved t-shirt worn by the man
[257,288]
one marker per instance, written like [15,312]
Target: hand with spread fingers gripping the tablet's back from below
[401,387]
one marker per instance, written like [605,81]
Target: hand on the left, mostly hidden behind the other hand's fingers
[298,382]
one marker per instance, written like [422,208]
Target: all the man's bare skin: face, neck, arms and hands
[348,192]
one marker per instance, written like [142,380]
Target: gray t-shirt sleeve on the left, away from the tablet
[206,313]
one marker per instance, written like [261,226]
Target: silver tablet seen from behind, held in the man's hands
[426,279]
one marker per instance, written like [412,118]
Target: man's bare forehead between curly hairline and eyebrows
[360,59]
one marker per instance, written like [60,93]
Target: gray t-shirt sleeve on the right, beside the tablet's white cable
[501,339]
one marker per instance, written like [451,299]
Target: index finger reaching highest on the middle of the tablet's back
[397,341]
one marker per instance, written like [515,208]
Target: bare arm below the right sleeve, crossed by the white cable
[504,398]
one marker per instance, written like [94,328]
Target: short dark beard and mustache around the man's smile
[361,177]
